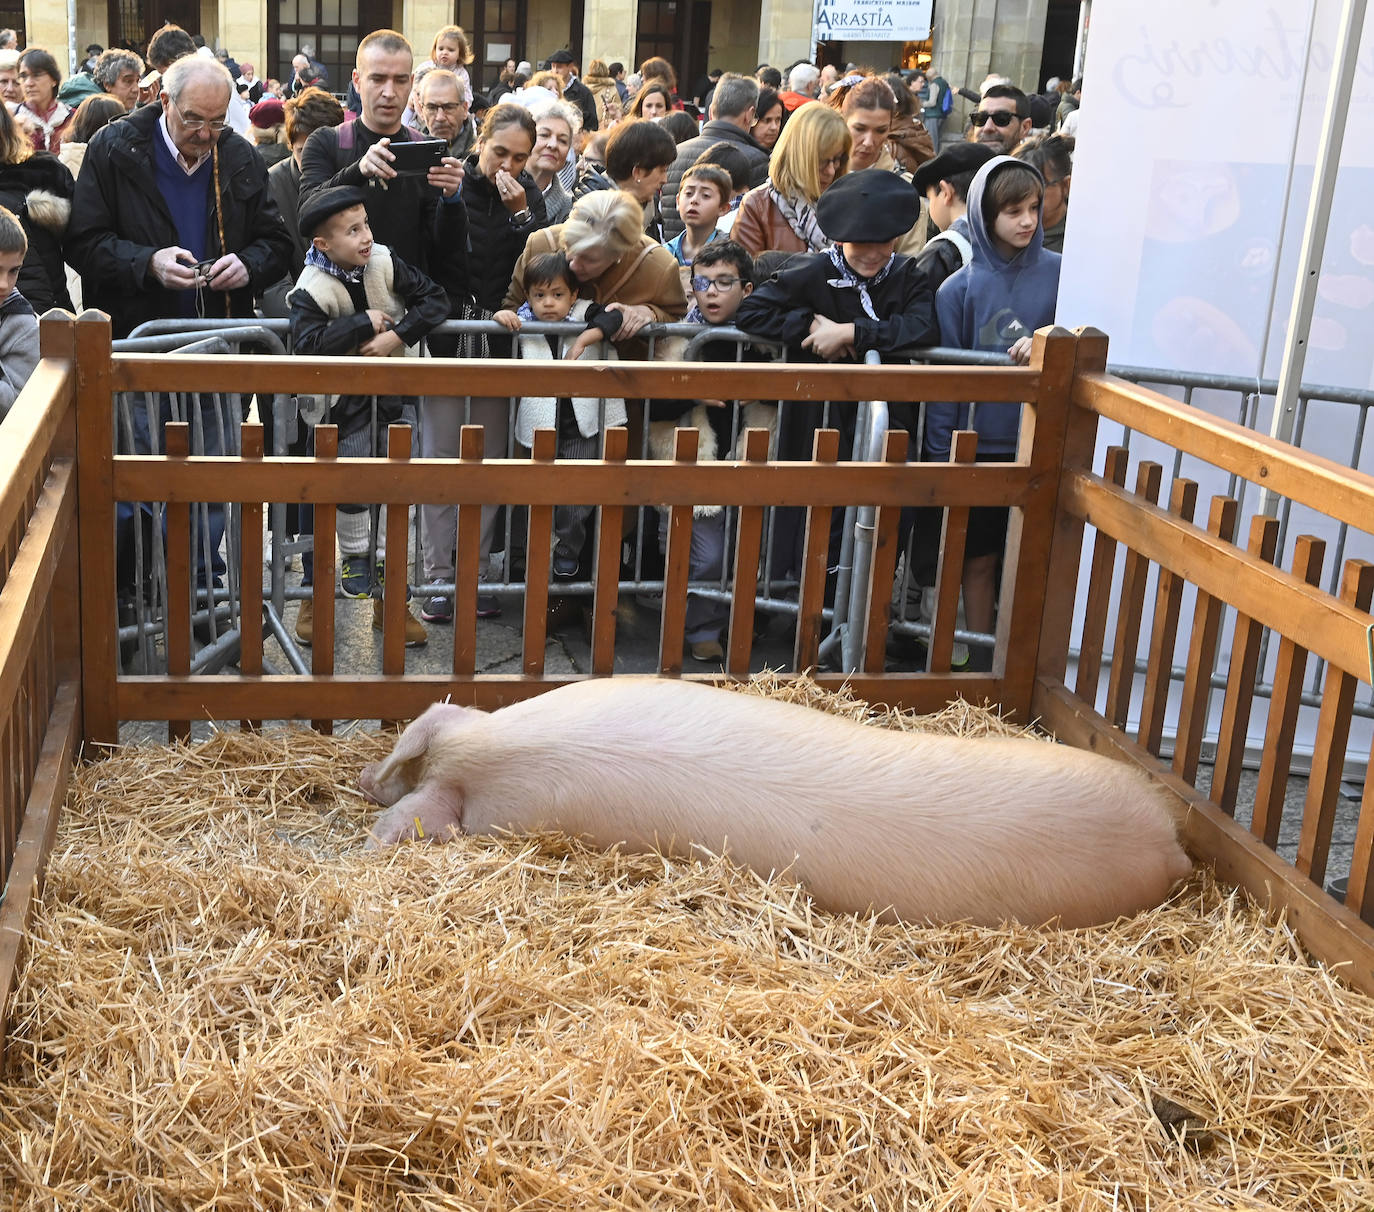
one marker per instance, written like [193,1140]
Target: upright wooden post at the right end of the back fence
[1031,528]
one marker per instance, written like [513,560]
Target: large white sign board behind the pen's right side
[1191,190]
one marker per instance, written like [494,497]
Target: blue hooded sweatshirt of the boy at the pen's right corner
[990,304]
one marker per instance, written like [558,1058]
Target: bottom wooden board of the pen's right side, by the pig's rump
[1329,931]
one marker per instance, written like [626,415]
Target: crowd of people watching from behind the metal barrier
[820,210]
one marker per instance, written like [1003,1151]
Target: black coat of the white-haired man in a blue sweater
[119,222]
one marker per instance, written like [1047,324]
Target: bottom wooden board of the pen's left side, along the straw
[36,838]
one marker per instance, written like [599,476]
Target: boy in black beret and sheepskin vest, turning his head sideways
[357,298]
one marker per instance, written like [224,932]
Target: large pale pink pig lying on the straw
[910,827]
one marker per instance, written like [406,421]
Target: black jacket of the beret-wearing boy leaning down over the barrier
[784,307]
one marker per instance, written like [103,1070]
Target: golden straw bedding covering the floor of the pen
[227,1004]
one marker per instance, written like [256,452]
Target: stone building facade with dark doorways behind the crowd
[1027,41]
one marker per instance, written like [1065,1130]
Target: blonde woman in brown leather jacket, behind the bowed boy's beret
[780,215]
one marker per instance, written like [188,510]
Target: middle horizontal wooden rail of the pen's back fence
[589,482]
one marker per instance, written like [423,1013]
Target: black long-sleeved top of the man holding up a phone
[409,216]
